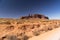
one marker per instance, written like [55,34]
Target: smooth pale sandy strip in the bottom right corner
[51,35]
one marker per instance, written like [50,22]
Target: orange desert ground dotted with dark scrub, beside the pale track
[22,29]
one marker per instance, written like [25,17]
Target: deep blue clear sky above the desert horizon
[17,8]
